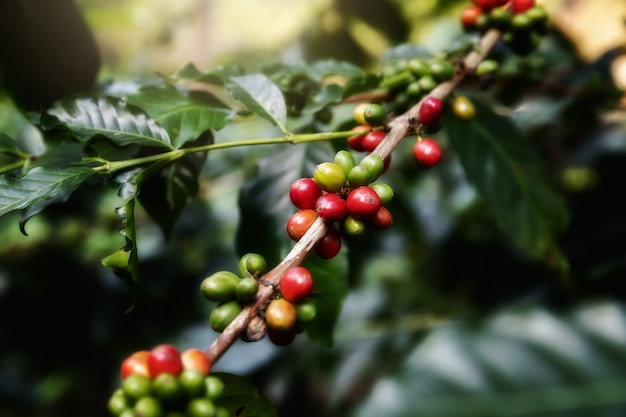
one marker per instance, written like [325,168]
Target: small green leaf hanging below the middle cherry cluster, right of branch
[331,285]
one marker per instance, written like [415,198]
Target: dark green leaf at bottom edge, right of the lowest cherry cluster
[242,398]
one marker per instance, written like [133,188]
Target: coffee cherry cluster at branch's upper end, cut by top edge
[522,22]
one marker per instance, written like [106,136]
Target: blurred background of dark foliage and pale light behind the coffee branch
[444,318]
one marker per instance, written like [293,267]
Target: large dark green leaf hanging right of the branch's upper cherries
[511,177]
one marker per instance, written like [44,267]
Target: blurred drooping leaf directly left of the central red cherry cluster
[264,201]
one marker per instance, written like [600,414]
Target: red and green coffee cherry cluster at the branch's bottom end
[165,382]
